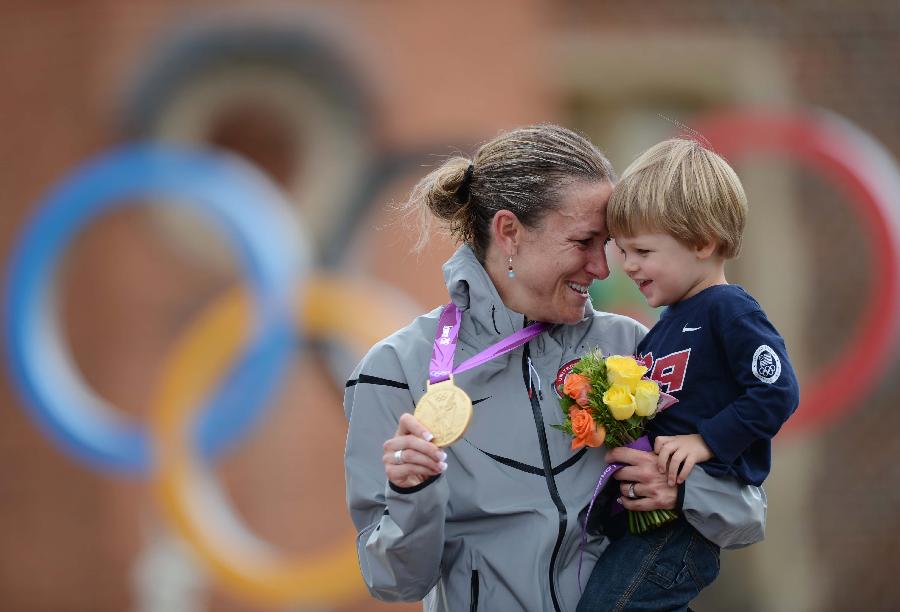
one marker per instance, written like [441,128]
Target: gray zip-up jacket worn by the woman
[501,525]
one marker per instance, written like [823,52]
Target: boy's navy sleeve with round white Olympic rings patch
[758,362]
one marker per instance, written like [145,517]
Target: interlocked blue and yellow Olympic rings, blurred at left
[255,327]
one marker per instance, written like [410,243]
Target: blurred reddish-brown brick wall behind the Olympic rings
[436,77]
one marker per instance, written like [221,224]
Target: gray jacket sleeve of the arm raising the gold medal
[400,532]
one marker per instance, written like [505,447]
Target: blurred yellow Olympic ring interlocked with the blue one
[234,556]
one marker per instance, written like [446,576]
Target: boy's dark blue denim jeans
[663,569]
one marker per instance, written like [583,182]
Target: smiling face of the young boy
[667,271]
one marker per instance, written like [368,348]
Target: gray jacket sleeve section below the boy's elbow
[727,512]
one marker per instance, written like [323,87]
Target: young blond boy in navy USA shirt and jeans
[677,215]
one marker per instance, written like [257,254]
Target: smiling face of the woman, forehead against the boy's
[556,262]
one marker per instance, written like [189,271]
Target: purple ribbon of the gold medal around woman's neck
[445,340]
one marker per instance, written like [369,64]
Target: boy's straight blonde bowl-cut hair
[685,190]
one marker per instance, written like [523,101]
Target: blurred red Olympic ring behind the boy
[869,176]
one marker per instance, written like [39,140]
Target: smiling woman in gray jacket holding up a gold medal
[494,518]
